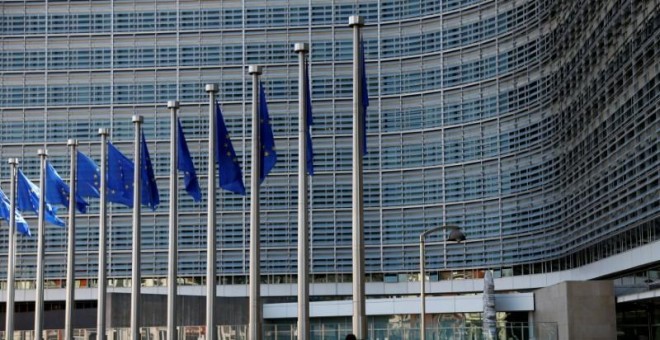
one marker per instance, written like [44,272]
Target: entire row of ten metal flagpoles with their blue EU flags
[123,181]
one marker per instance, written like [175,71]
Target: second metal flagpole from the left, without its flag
[39,301]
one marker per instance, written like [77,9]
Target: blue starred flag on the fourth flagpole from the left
[120,177]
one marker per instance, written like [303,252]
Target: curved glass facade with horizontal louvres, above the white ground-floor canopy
[532,124]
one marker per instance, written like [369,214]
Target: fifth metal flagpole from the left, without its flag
[136,281]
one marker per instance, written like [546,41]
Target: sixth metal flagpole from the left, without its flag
[173,221]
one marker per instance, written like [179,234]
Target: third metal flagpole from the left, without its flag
[71,246]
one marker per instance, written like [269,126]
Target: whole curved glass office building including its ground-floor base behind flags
[532,125]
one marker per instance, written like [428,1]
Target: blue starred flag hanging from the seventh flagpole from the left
[231,177]
